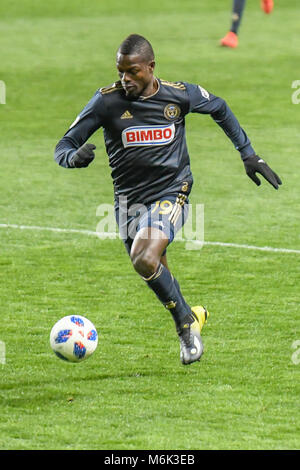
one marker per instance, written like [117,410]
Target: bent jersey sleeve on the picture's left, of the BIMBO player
[87,122]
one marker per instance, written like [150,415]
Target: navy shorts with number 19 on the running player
[167,214]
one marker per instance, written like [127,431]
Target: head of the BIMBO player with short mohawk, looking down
[135,64]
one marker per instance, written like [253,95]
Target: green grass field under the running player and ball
[134,393]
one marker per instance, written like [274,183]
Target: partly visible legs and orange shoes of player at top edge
[231,38]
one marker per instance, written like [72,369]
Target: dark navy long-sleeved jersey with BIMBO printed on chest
[145,138]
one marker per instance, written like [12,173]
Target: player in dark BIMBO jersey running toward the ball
[143,118]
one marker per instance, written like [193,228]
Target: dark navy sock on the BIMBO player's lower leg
[168,292]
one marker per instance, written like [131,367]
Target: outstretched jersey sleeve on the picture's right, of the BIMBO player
[203,102]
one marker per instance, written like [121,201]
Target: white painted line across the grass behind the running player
[112,235]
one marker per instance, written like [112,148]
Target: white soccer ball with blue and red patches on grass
[73,338]
